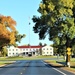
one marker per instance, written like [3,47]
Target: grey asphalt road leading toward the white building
[33,67]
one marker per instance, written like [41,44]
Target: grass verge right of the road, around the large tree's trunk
[60,64]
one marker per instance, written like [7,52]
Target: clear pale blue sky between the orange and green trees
[20,11]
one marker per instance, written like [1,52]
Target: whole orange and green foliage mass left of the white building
[8,33]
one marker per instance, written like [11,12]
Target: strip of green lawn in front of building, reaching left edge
[5,60]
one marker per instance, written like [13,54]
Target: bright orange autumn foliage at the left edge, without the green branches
[7,30]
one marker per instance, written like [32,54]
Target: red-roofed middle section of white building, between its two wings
[29,50]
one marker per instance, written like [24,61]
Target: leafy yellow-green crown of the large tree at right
[58,20]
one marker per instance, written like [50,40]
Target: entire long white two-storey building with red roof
[30,50]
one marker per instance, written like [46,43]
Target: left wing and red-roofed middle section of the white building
[24,51]
